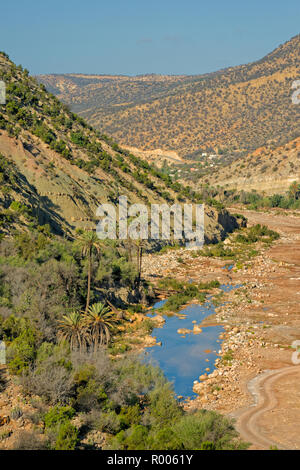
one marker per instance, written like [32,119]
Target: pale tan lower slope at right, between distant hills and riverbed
[267,170]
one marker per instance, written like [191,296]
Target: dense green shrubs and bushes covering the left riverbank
[59,353]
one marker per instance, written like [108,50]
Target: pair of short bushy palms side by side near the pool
[88,330]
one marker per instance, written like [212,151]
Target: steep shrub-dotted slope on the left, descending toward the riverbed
[56,168]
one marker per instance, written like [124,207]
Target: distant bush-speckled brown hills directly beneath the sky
[238,108]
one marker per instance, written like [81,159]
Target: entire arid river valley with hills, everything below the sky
[126,344]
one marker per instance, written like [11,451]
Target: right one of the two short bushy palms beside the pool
[99,322]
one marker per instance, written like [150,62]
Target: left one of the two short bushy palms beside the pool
[71,329]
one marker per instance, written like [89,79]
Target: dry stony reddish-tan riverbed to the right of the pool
[261,318]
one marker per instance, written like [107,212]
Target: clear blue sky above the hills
[146,36]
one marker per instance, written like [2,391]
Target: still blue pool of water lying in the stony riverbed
[183,359]
